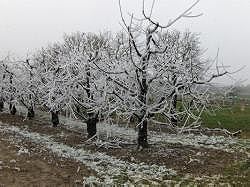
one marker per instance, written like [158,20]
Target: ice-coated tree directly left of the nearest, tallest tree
[84,51]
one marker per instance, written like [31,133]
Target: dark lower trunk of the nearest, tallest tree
[143,135]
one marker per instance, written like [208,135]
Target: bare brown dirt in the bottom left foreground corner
[39,168]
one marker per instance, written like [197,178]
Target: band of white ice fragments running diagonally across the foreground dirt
[109,169]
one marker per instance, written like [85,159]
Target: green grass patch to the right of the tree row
[230,117]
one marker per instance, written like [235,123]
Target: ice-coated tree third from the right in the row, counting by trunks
[49,78]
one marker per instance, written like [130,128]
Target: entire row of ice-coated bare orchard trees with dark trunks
[148,73]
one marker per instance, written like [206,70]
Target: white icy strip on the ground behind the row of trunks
[128,135]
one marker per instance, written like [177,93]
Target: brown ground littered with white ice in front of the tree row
[35,154]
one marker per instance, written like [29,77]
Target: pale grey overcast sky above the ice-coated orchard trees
[27,25]
